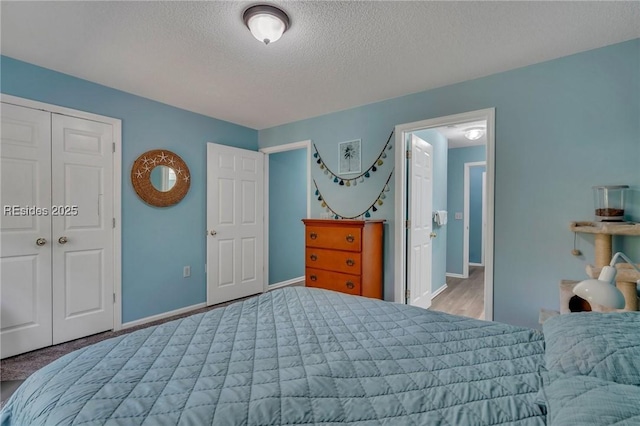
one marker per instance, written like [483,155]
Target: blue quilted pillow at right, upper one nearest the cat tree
[603,345]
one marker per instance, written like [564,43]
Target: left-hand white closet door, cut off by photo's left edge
[25,247]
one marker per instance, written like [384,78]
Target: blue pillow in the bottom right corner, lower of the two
[584,401]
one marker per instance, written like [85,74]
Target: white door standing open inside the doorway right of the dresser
[420,216]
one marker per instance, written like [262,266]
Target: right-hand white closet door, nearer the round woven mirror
[82,234]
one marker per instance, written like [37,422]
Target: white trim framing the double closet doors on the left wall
[117,187]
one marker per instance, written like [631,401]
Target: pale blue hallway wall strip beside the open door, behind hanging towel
[439,244]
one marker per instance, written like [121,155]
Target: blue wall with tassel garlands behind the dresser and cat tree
[562,126]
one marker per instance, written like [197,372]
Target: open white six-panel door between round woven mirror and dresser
[235,223]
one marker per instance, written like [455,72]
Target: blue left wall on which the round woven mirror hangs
[156,242]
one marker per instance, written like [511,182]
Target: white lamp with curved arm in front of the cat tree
[603,291]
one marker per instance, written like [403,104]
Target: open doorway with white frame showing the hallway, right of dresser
[462,246]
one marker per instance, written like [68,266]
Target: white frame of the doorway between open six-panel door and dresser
[273,150]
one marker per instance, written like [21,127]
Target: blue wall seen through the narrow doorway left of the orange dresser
[287,208]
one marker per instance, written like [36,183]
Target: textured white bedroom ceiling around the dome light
[199,55]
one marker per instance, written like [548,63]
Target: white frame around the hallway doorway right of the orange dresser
[401,131]
